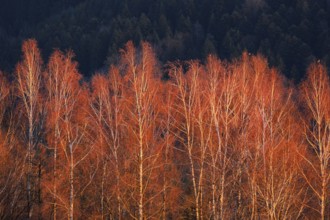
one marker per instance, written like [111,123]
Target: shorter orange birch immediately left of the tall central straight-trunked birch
[106,108]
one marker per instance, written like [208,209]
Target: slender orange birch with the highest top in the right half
[244,75]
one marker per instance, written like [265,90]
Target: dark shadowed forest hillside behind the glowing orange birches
[291,34]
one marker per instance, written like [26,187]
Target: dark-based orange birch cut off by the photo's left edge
[12,156]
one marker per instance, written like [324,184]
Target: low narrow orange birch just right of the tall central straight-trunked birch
[170,179]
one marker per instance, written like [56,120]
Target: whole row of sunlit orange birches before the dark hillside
[185,140]
